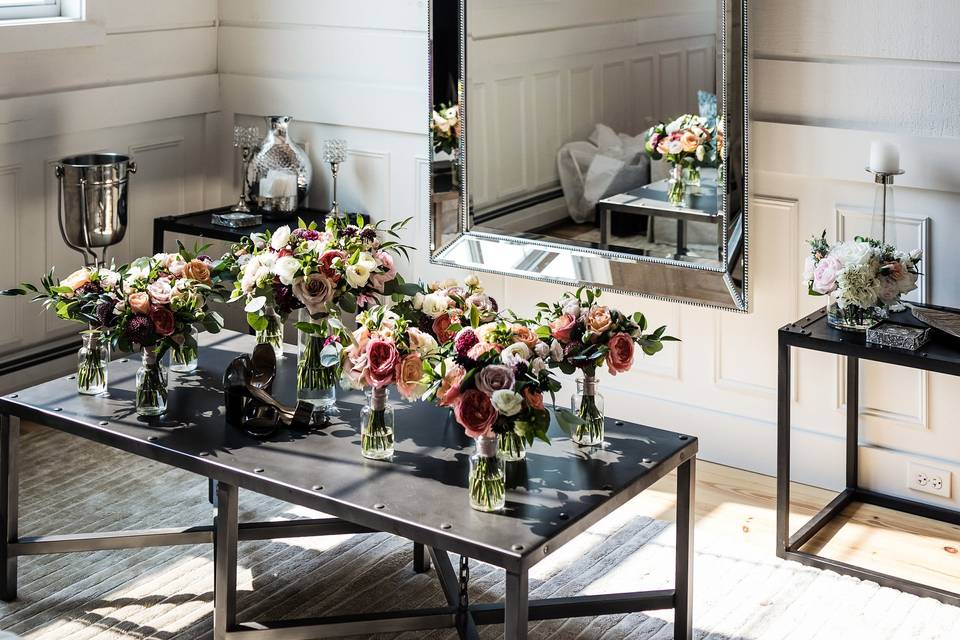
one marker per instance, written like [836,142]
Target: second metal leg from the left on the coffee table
[226,534]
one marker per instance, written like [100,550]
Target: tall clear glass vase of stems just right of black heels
[317,370]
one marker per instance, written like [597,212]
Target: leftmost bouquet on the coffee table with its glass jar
[85,296]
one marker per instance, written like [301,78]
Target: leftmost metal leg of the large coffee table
[9,504]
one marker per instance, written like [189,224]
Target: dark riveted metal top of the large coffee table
[421,495]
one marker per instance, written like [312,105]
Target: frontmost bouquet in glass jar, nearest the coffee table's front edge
[494,377]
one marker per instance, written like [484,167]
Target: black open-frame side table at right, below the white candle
[813,332]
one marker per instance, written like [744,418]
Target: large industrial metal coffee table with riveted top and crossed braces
[421,495]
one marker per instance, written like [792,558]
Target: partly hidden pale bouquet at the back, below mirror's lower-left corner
[441,308]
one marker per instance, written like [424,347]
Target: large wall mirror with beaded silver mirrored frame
[599,142]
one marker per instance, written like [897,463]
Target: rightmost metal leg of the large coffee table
[683,591]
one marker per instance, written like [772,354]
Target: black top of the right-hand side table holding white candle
[941,354]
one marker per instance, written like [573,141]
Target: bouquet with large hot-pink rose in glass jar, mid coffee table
[385,350]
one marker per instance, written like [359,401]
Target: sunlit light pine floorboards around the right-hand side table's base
[741,506]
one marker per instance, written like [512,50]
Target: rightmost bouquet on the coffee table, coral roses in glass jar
[585,335]
